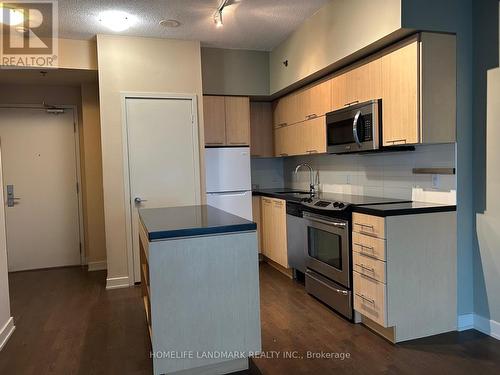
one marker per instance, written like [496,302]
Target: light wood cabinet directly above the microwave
[358,85]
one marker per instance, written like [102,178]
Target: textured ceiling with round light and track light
[248,24]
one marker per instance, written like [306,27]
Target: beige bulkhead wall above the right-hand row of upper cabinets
[339,30]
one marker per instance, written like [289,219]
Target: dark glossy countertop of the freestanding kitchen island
[189,221]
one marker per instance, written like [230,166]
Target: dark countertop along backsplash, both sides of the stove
[376,206]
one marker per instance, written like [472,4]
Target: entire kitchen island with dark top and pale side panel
[200,281]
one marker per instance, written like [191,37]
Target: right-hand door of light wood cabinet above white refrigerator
[237,120]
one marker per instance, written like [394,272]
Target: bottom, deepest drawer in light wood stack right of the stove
[369,298]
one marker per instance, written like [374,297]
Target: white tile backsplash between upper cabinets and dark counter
[384,174]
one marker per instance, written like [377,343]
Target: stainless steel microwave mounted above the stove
[355,128]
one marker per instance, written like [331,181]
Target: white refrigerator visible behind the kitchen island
[228,180]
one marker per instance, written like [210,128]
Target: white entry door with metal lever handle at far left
[39,163]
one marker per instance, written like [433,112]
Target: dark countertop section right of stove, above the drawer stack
[409,208]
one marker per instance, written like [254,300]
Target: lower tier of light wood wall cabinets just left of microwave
[302,138]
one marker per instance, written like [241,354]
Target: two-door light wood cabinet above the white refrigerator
[227,120]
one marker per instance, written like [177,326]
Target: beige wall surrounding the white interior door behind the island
[132,64]
